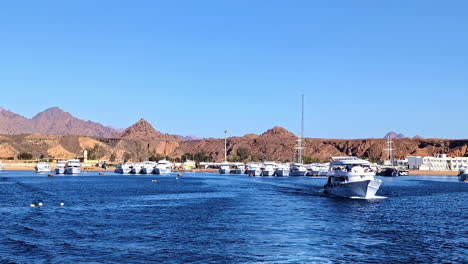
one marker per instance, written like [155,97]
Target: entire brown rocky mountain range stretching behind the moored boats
[141,141]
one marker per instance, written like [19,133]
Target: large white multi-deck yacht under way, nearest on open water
[351,177]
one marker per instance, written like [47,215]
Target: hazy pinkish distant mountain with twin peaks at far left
[53,121]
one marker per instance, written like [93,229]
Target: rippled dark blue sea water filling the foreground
[209,218]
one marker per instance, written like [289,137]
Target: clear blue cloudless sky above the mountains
[197,67]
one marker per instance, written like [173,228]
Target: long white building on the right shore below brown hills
[440,162]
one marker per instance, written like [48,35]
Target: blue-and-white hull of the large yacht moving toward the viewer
[362,189]
